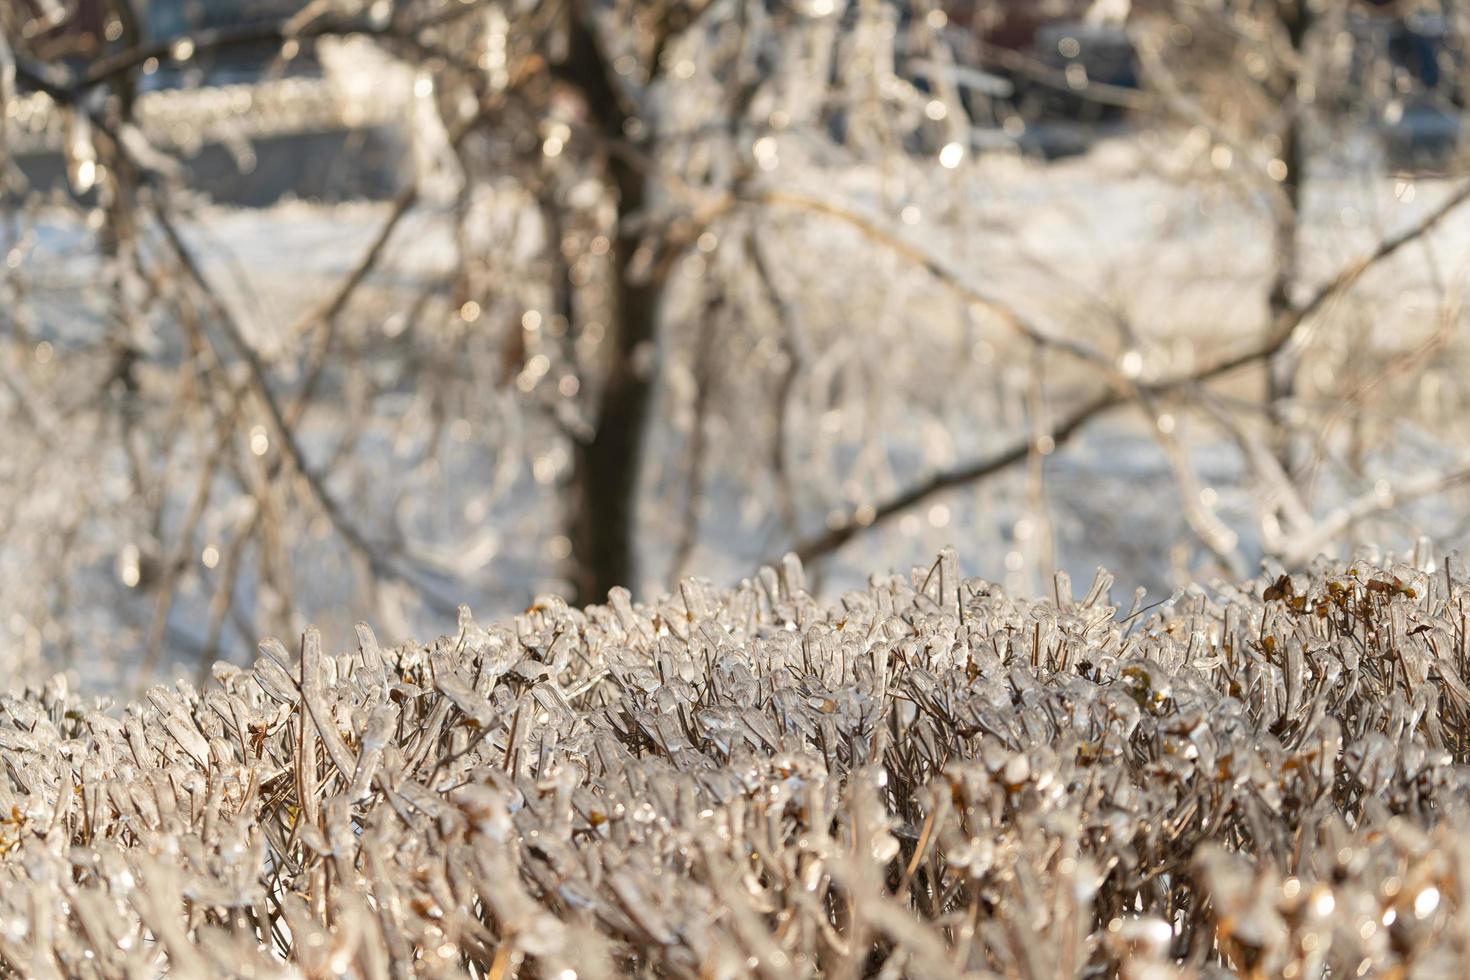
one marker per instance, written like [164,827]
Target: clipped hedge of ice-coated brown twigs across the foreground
[928,779]
